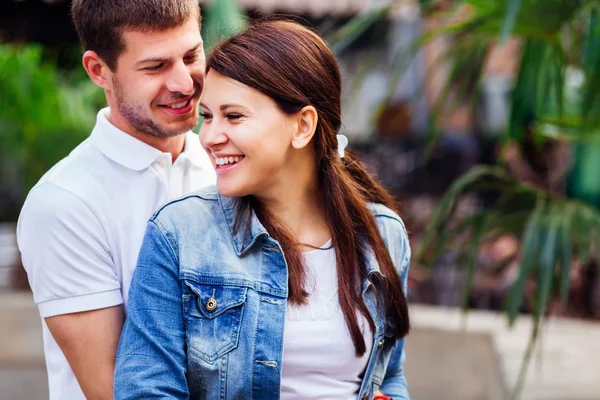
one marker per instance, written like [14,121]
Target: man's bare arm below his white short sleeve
[89,341]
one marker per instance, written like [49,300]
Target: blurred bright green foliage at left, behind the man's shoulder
[43,116]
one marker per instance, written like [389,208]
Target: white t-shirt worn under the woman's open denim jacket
[319,360]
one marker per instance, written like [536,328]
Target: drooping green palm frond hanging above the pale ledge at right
[555,230]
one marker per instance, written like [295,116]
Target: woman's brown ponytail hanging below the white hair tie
[347,189]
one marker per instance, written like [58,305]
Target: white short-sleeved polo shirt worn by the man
[82,225]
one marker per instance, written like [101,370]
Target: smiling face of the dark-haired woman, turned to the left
[246,136]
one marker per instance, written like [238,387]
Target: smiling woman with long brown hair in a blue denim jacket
[287,280]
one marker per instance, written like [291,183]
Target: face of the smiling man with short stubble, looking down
[158,81]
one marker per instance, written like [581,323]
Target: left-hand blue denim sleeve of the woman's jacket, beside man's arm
[151,359]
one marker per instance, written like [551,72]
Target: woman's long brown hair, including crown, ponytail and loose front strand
[293,66]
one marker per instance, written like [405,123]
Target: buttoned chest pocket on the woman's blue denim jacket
[214,318]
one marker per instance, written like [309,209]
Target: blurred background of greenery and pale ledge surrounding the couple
[482,117]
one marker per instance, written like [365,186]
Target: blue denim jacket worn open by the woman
[207,308]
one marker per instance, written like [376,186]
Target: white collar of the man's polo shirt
[132,153]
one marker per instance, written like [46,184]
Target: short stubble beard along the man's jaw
[133,113]
